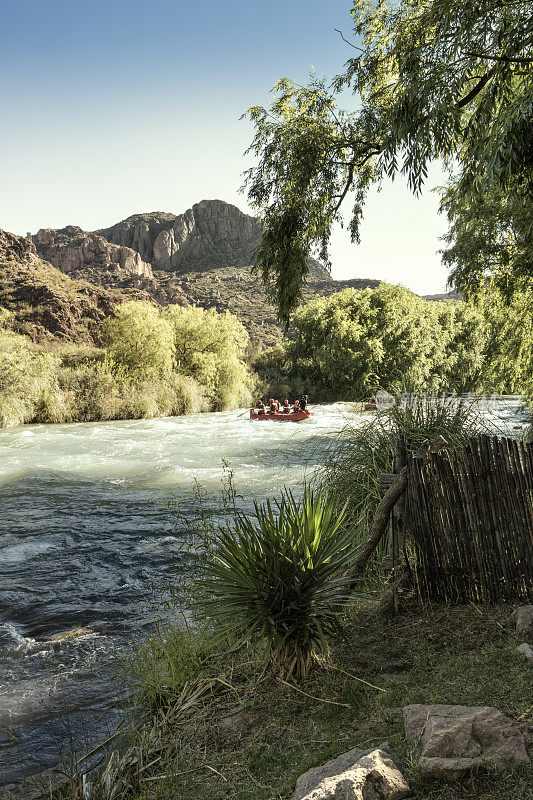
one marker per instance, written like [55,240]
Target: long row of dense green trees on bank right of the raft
[347,345]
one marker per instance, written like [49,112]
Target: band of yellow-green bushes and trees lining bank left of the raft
[155,362]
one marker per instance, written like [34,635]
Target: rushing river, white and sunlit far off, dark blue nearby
[88,542]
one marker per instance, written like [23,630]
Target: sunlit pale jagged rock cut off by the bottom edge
[355,775]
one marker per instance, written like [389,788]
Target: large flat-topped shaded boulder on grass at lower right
[453,739]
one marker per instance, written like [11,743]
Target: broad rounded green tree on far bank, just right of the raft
[349,344]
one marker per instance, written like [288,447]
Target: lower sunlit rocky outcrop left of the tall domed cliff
[83,254]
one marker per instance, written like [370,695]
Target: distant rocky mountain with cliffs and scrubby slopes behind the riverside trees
[202,256]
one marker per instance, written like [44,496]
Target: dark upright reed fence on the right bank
[469,514]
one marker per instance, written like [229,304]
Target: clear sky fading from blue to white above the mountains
[115,107]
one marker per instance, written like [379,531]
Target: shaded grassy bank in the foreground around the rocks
[249,736]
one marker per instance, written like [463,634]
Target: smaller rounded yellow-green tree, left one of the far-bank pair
[140,339]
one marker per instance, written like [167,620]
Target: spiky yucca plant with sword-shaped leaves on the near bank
[277,579]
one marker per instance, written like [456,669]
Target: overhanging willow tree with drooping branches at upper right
[439,79]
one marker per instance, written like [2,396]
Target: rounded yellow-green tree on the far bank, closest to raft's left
[210,348]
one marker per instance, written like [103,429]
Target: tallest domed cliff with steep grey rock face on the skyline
[210,235]
